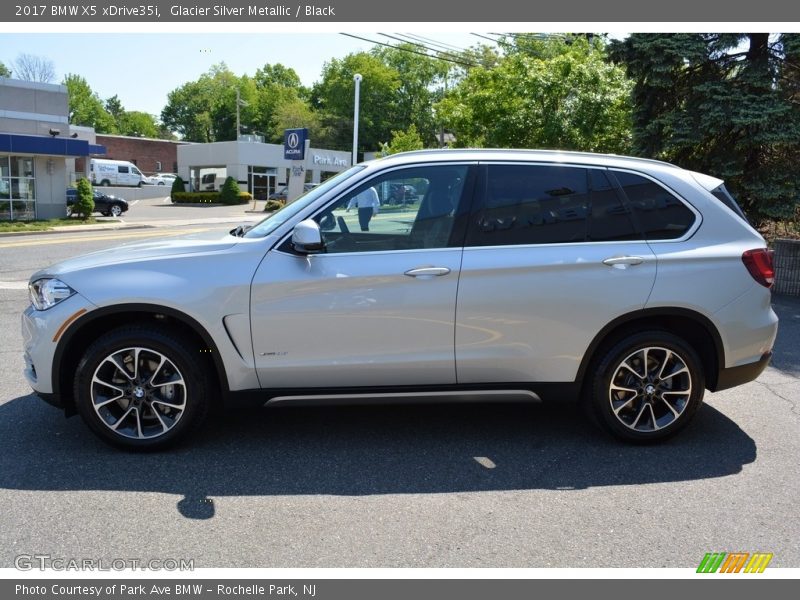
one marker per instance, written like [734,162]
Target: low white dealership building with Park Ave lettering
[259,168]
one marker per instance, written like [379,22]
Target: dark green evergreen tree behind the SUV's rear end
[723,104]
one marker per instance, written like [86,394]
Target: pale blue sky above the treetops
[142,68]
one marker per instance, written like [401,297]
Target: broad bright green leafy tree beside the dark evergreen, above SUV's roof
[566,97]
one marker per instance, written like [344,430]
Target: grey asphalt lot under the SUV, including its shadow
[408,486]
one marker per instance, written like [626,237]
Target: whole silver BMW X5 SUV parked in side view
[631,284]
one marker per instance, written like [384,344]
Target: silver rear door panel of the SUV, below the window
[529,313]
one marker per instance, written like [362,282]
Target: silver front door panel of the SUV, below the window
[339,320]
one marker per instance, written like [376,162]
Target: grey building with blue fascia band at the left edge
[37,150]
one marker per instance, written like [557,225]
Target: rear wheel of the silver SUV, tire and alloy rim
[643,404]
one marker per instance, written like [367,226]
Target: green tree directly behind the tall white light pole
[333,98]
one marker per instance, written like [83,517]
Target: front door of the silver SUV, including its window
[377,308]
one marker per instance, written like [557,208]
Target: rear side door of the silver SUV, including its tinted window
[552,256]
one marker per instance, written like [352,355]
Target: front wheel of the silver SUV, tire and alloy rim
[128,412]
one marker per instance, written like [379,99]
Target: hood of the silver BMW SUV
[206,242]
